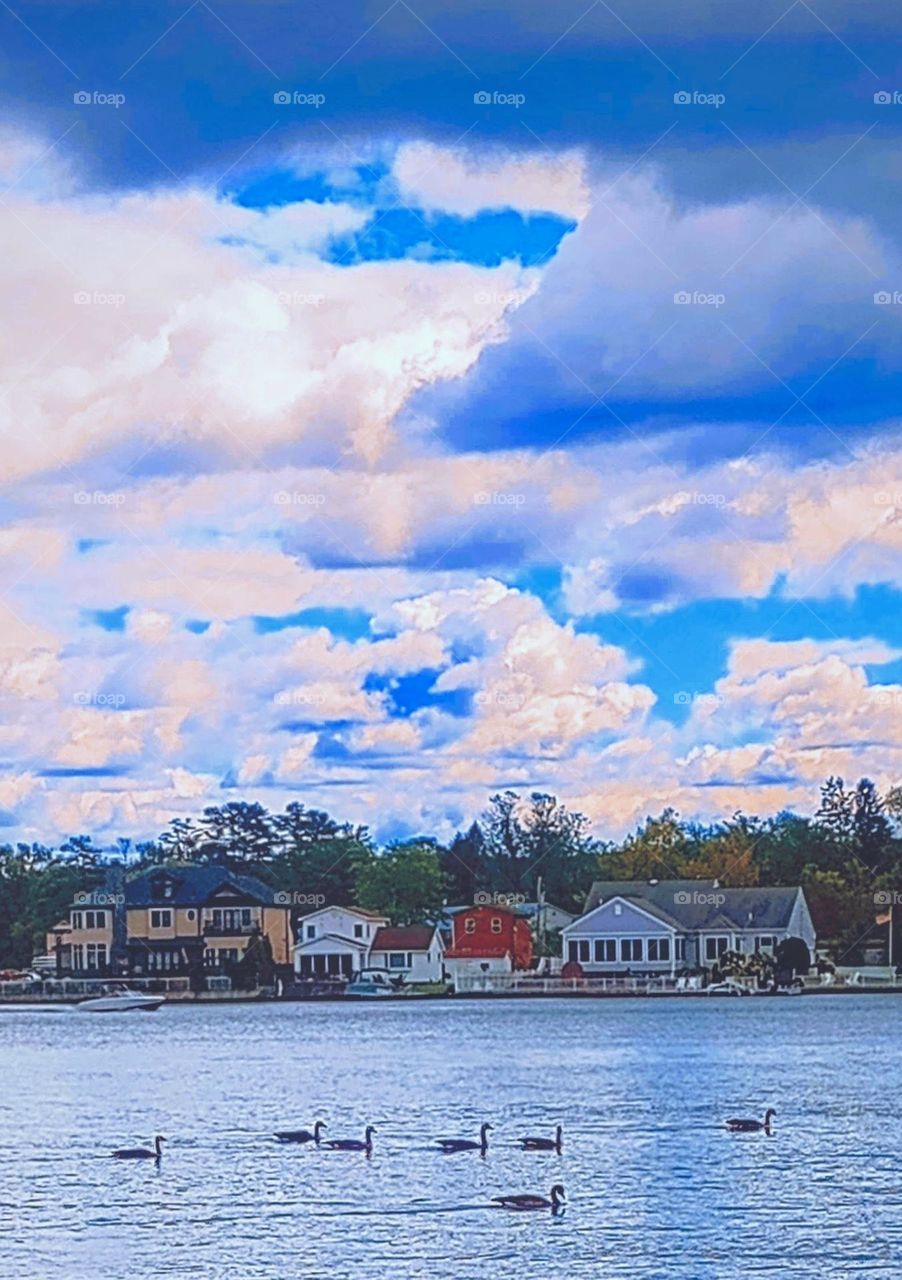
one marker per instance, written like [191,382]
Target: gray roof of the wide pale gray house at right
[702,904]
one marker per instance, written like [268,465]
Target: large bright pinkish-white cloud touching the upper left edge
[185,318]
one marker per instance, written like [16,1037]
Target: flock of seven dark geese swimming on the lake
[450,1148]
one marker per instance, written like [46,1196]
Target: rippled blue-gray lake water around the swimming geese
[656,1186]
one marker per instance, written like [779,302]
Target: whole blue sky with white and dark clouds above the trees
[402,403]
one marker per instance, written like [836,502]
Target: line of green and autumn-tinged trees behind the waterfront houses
[849,857]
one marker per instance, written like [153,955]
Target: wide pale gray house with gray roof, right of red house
[665,926]
